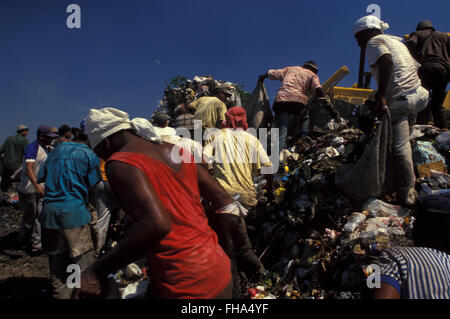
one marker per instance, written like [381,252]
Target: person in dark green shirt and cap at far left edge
[12,151]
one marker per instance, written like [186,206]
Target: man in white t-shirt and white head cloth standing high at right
[399,90]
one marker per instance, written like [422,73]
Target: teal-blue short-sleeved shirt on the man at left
[68,172]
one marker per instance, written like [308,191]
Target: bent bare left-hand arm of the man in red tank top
[151,223]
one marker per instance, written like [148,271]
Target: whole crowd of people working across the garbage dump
[186,199]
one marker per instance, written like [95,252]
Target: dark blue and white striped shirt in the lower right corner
[416,272]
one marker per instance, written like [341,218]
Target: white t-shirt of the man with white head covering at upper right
[404,79]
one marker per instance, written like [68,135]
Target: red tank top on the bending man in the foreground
[188,262]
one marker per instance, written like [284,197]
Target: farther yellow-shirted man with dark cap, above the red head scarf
[211,109]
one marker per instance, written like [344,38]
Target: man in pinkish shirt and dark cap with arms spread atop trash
[298,83]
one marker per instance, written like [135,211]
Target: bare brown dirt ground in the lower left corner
[21,275]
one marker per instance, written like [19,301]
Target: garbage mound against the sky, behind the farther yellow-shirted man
[176,100]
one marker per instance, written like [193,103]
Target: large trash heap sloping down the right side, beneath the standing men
[316,244]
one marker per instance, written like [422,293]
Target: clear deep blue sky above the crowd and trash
[125,51]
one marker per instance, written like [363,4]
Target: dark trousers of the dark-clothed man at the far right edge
[434,80]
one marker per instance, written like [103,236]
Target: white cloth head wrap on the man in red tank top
[104,122]
